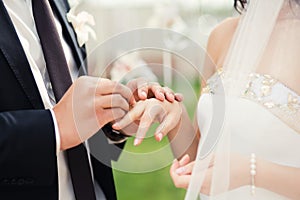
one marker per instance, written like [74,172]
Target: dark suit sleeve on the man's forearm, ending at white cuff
[27,148]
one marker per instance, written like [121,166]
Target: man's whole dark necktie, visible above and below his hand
[61,80]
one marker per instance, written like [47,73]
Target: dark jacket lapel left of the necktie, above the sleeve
[12,50]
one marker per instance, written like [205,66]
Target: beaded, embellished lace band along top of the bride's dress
[268,92]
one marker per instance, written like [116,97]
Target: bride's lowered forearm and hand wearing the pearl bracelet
[280,179]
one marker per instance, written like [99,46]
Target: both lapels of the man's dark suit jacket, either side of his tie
[11,48]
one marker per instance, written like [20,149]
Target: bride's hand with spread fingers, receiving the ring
[149,111]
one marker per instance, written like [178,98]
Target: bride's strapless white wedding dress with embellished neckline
[260,122]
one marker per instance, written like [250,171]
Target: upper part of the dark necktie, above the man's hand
[52,48]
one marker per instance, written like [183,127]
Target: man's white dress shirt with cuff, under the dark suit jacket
[20,12]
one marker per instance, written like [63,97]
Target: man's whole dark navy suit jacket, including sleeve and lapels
[28,164]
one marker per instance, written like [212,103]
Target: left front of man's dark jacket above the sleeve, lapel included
[14,66]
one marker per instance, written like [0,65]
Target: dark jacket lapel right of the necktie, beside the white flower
[61,7]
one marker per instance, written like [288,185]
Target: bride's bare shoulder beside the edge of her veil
[220,39]
